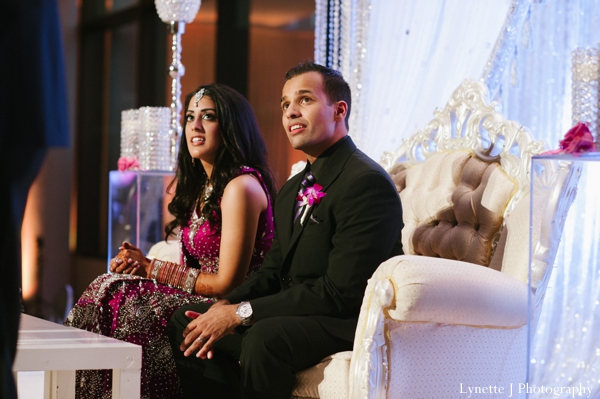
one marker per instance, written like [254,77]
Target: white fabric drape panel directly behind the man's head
[404,58]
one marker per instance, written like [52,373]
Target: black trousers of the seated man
[255,362]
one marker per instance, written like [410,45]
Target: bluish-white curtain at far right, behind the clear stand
[565,351]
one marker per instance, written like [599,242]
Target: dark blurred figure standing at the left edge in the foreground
[33,117]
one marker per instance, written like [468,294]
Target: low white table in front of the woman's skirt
[58,351]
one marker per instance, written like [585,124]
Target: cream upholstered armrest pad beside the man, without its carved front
[446,291]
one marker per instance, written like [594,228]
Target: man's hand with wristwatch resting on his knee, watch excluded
[206,329]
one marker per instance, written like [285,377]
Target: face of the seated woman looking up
[202,130]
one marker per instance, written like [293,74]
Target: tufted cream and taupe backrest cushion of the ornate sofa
[453,205]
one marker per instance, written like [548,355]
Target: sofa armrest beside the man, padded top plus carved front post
[419,289]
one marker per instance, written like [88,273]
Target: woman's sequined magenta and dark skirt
[137,310]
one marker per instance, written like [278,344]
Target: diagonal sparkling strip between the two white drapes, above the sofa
[504,47]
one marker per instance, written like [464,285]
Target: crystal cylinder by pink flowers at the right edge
[585,95]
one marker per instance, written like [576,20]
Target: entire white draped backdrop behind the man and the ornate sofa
[404,58]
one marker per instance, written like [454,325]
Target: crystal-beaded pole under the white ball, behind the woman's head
[176,71]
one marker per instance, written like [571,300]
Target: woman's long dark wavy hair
[241,145]
